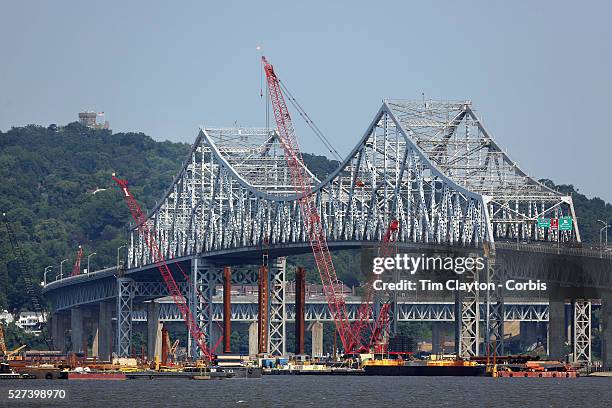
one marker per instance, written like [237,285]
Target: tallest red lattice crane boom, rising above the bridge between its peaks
[312,220]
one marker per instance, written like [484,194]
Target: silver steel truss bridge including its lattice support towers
[431,165]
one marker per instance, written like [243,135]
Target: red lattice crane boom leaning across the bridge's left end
[148,234]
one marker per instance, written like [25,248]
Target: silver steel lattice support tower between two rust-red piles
[278,315]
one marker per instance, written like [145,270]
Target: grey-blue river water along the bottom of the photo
[324,391]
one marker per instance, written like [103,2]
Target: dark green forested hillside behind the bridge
[57,192]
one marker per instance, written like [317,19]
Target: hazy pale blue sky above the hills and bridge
[538,72]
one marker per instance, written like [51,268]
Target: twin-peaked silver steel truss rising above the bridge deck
[431,165]
